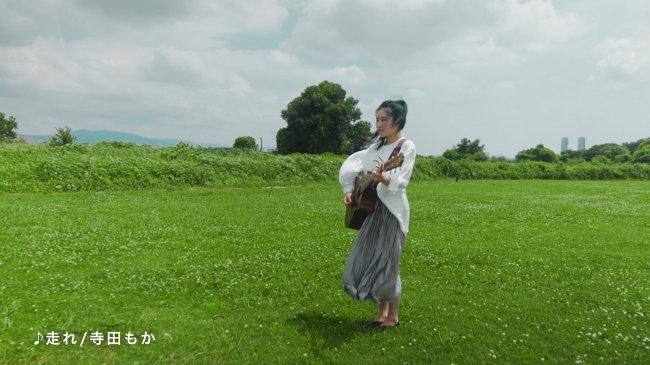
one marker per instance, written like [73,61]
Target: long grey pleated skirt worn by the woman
[372,270]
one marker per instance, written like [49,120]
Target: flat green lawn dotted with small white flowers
[494,272]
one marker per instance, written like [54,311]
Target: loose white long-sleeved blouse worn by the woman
[392,195]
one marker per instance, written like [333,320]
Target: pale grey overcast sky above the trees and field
[512,73]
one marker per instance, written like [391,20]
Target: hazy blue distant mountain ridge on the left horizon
[86,136]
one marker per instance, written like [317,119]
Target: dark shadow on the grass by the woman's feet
[327,334]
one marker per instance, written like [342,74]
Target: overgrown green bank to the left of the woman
[122,166]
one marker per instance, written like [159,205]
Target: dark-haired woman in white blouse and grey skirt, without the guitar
[372,270]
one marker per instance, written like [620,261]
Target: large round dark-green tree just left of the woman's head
[319,120]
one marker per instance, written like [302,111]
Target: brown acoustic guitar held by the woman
[365,193]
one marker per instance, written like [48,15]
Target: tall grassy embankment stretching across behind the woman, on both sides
[121,166]
